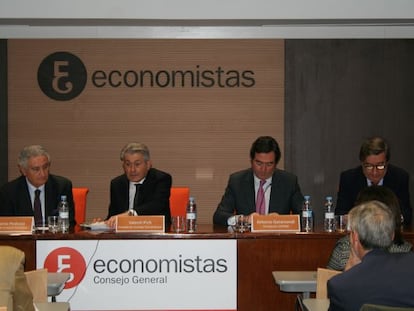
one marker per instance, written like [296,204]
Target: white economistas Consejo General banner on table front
[144,274]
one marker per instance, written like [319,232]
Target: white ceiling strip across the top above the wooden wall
[207,19]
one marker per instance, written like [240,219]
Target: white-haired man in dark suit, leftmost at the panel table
[17,196]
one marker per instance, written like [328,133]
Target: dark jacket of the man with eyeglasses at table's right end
[353,181]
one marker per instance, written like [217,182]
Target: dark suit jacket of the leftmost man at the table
[15,197]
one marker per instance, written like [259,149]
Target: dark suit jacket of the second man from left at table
[153,199]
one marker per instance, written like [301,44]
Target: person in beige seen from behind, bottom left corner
[15,293]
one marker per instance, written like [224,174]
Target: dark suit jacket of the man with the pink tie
[239,196]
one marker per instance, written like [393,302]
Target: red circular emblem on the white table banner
[67,259]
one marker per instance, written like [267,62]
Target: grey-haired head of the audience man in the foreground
[374,224]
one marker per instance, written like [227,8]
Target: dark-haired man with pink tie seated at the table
[282,193]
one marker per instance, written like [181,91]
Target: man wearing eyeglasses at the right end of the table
[375,169]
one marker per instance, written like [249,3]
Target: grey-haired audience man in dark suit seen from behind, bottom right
[380,277]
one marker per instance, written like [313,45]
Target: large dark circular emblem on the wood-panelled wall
[62,76]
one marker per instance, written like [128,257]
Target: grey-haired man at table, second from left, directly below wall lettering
[141,190]
